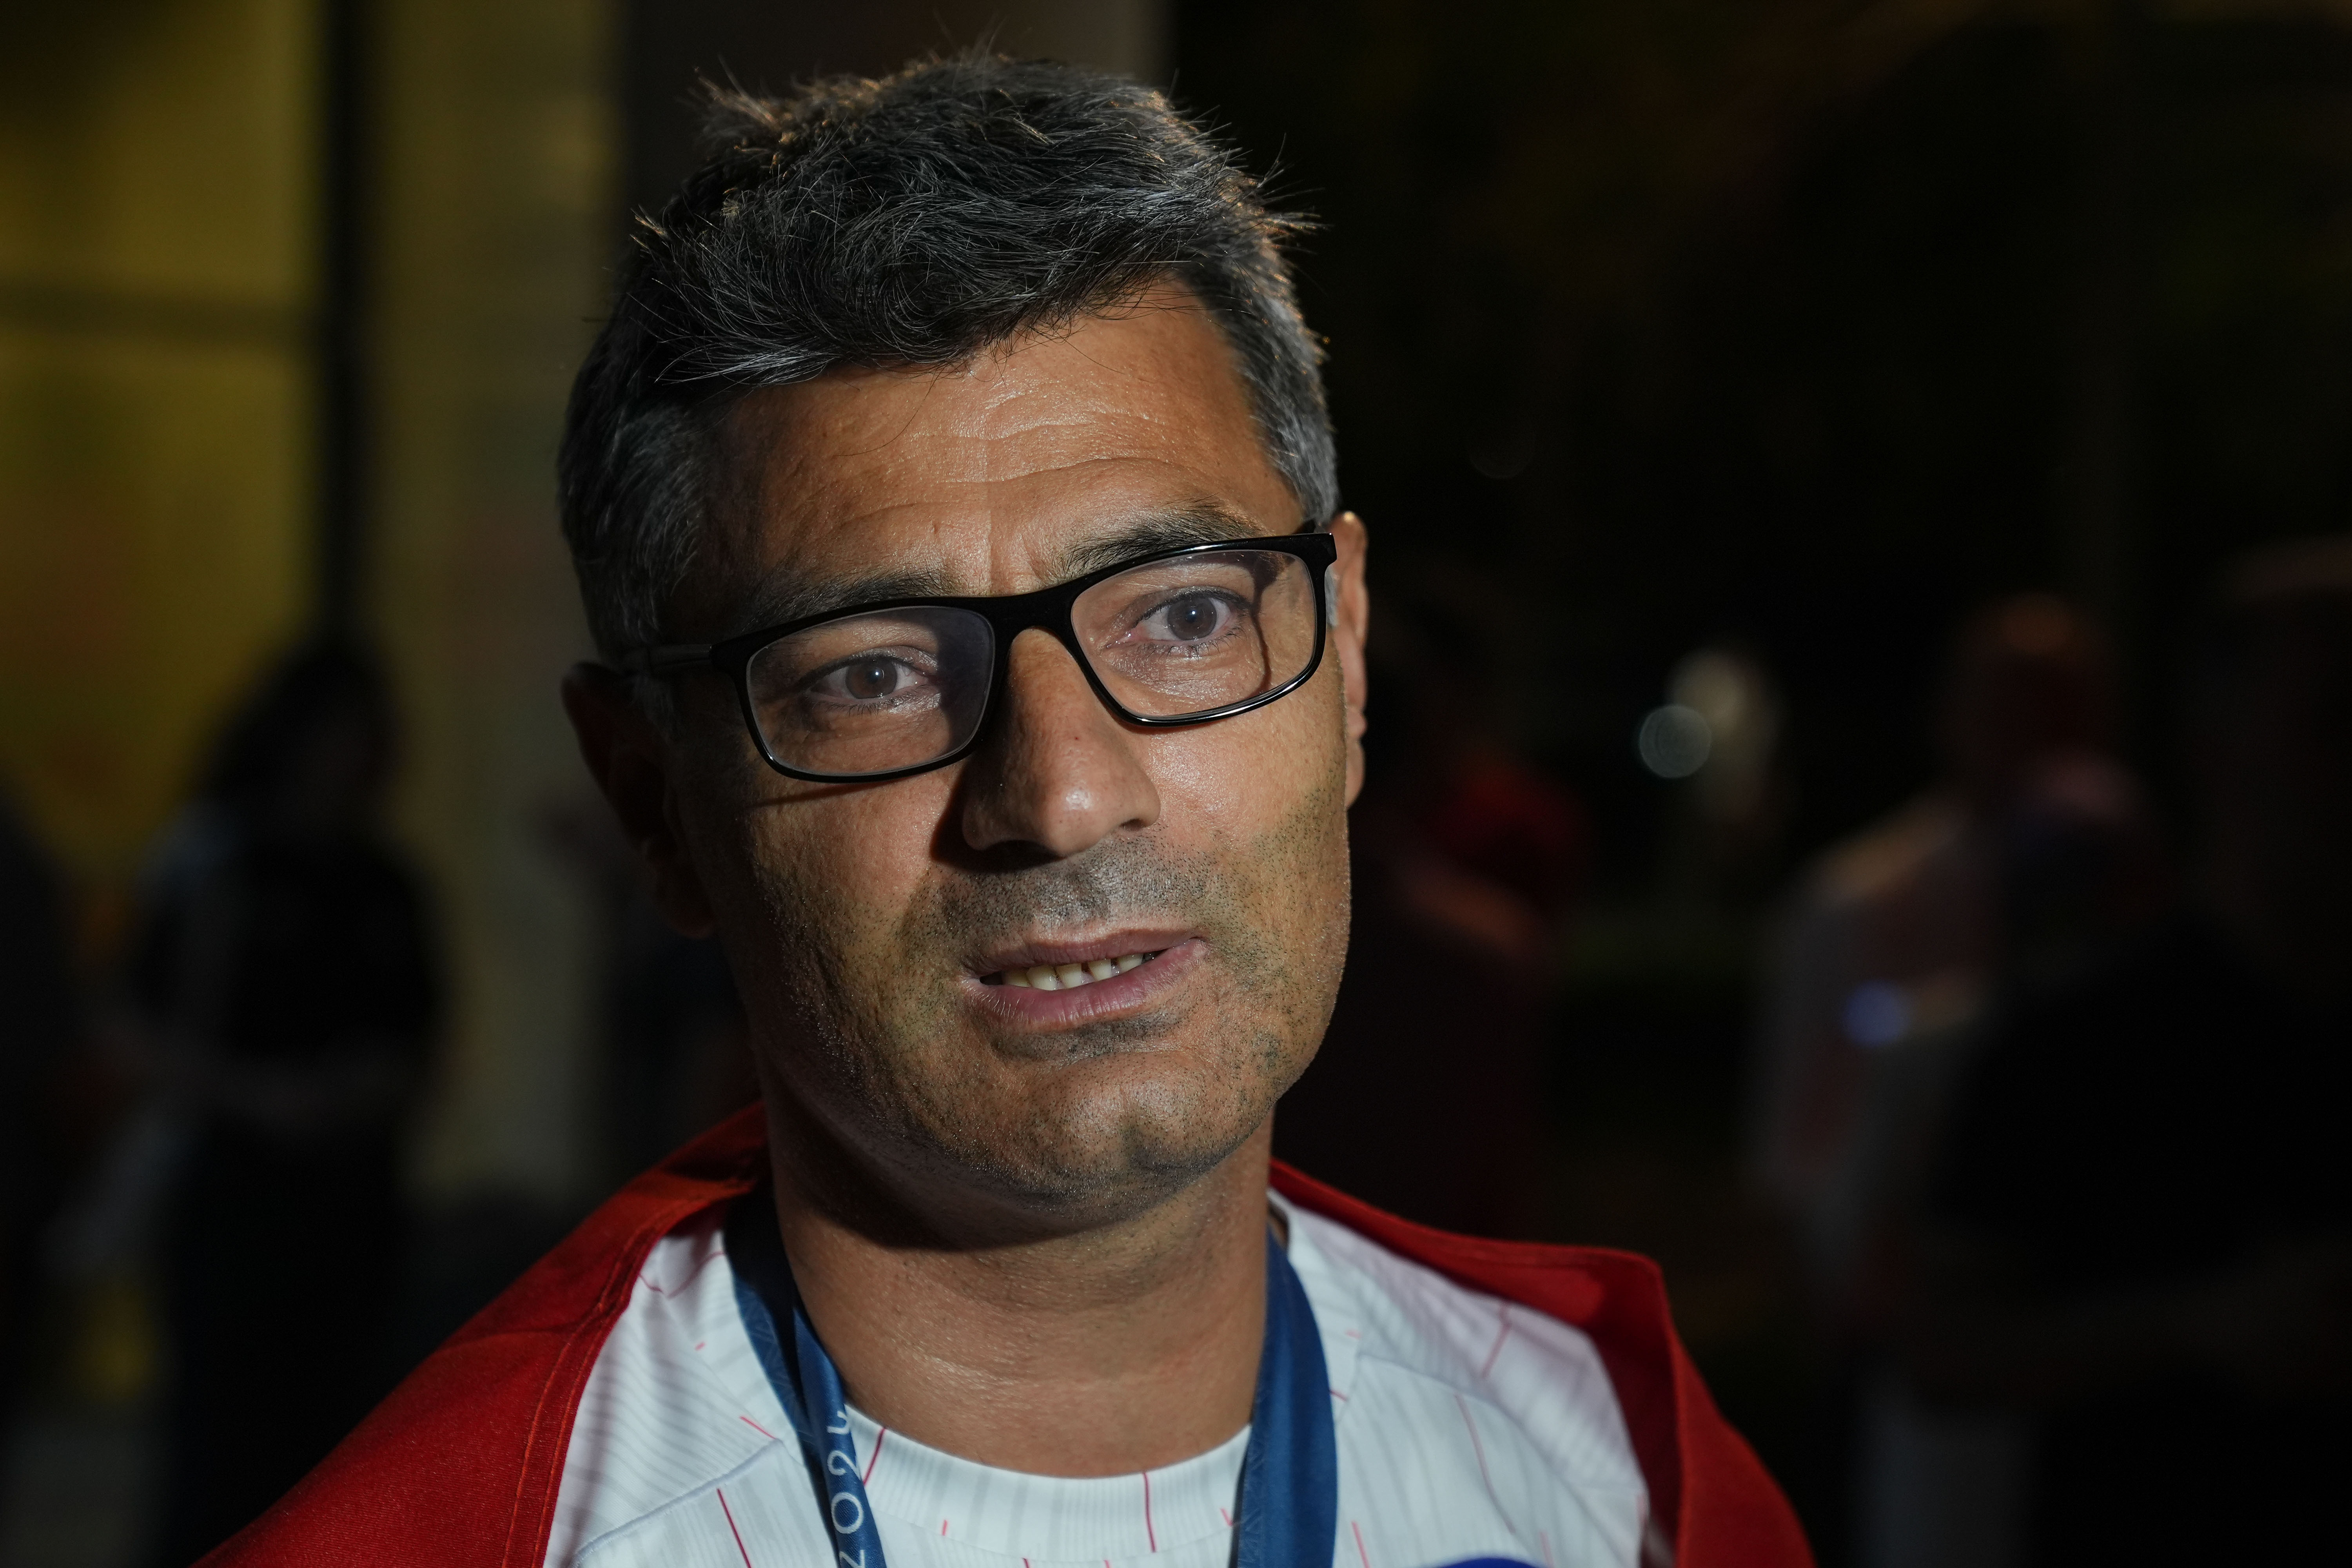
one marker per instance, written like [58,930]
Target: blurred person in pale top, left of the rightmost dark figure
[2022,862]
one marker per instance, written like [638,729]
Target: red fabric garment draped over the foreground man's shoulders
[462,1463]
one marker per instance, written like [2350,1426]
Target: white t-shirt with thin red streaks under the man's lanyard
[1469,1433]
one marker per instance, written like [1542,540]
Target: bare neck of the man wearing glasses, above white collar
[1093,1353]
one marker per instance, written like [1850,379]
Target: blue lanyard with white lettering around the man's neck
[1288,1513]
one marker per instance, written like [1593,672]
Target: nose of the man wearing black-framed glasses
[1060,772]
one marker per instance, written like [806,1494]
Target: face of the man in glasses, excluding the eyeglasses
[871,925]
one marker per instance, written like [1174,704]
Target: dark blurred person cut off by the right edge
[2144,1221]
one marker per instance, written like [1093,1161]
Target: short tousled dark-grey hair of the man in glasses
[907,222]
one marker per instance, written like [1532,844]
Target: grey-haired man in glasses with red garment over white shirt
[954,504]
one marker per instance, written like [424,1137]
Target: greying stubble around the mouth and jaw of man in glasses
[867,1026]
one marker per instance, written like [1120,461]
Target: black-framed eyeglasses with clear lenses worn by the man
[907,685]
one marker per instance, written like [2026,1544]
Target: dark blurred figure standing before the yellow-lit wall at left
[286,979]
